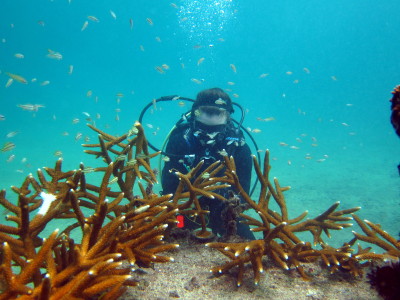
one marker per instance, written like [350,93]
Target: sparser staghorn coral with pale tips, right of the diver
[280,242]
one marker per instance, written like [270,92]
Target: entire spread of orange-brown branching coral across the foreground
[118,226]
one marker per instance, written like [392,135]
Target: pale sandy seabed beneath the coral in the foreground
[188,277]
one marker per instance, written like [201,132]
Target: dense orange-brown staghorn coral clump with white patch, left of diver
[59,268]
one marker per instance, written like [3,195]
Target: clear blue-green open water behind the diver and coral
[331,68]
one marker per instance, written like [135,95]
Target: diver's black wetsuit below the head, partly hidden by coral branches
[189,144]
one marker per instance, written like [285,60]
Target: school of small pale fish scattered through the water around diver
[74,127]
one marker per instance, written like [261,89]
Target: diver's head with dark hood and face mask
[212,107]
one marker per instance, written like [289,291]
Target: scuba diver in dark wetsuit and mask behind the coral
[208,135]
